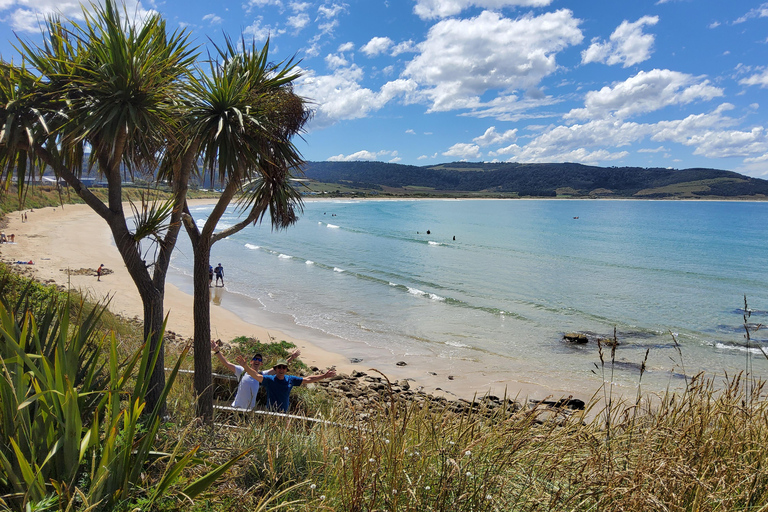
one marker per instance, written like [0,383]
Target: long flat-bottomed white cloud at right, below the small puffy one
[645,92]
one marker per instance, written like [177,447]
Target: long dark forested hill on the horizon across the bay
[537,180]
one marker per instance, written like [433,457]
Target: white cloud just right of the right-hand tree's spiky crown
[340,95]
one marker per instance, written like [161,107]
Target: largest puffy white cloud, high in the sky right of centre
[462,60]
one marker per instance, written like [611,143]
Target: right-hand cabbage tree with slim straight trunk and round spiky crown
[244,117]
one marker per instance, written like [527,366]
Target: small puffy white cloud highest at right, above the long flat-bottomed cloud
[628,45]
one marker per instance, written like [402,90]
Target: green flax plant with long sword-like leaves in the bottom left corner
[72,431]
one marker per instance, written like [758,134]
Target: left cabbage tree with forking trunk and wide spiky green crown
[114,87]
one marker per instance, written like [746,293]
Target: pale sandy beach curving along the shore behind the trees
[73,237]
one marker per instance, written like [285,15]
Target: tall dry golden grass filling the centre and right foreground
[700,450]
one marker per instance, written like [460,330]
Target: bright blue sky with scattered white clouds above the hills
[663,83]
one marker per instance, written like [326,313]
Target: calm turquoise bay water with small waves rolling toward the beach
[366,279]
